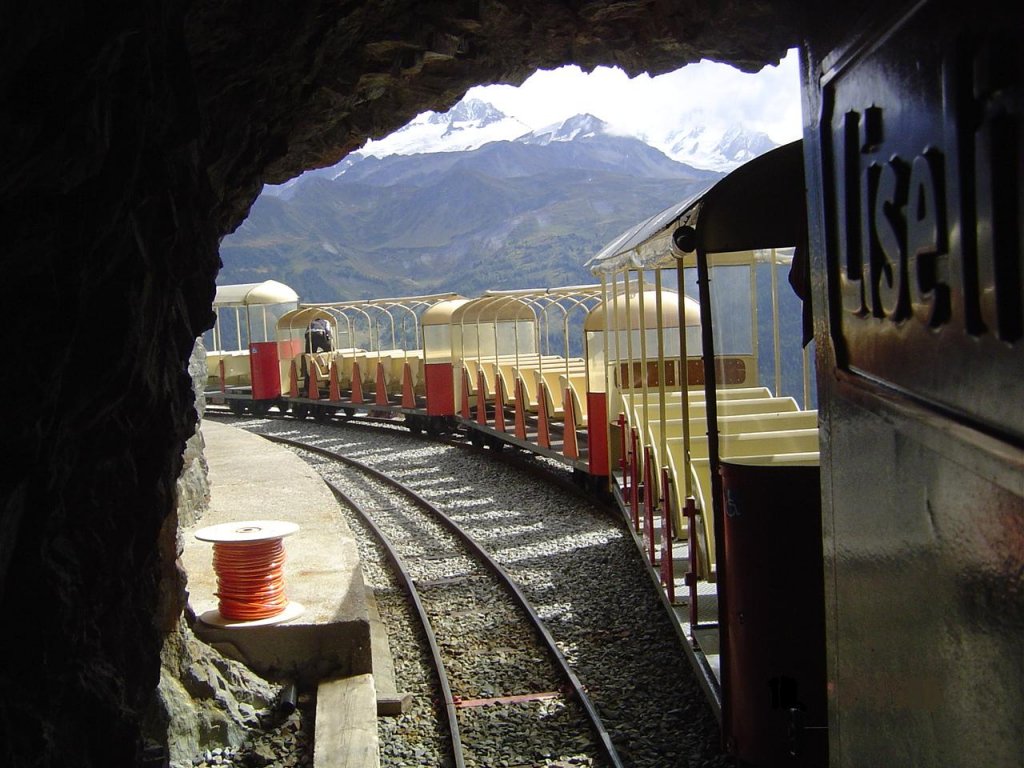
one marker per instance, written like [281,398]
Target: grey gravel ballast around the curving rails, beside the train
[575,563]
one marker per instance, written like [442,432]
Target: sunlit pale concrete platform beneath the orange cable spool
[253,480]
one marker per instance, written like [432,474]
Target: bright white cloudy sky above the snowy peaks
[717,94]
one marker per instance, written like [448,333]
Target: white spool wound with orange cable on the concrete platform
[249,563]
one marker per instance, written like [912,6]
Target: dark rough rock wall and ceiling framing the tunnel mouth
[135,135]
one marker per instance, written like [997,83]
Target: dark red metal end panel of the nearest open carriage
[775,614]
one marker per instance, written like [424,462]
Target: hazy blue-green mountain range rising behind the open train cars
[519,214]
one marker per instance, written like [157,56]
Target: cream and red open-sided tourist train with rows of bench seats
[678,385]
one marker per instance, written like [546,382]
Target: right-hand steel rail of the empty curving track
[608,748]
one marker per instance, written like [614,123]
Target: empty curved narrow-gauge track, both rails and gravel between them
[447,576]
